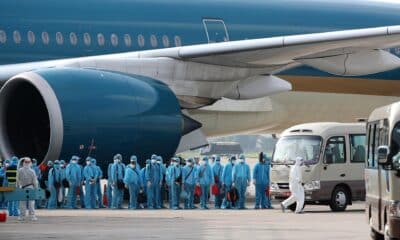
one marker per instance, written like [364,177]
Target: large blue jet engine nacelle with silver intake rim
[55,113]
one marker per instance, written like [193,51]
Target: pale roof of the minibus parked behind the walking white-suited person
[325,128]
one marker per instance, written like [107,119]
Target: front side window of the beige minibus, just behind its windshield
[335,151]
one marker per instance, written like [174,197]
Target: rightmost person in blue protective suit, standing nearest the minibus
[261,181]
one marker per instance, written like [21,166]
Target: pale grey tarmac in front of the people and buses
[318,222]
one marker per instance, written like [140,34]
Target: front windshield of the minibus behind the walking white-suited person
[290,147]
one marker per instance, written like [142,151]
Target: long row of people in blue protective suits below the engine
[183,183]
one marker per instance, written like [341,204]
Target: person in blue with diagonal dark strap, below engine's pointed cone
[189,178]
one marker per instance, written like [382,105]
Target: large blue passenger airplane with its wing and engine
[99,77]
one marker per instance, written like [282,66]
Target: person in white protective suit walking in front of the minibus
[296,187]
